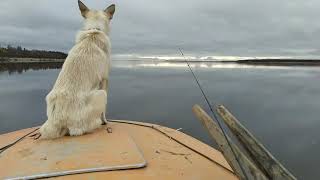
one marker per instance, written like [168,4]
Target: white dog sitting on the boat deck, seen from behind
[76,105]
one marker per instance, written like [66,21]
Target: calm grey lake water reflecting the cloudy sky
[280,105]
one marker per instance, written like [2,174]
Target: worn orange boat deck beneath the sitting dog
[158,152]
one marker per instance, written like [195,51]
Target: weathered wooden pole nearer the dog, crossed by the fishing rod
[252,172]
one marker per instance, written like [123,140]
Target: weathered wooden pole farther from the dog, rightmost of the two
[258,153]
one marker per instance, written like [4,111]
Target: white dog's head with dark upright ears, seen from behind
[97,19]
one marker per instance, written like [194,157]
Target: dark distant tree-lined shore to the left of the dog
[19,52]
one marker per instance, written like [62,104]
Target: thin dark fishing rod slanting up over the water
[213,113]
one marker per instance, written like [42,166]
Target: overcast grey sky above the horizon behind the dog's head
[149,27]
